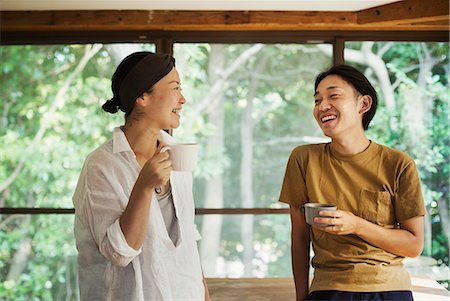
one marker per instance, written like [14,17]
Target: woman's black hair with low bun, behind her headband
[113,105]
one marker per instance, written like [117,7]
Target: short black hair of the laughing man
[359,82]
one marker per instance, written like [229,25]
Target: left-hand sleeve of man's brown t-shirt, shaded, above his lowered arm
[293,189]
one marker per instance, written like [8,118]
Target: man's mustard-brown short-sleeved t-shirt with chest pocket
[381,185]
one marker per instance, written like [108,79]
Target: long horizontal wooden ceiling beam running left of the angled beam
[107,19]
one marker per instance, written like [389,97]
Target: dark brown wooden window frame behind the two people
[164,42]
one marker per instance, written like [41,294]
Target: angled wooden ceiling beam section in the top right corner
[406,12]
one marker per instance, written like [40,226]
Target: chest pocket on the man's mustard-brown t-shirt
[376,207]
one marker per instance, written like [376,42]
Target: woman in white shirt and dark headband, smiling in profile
[134,216]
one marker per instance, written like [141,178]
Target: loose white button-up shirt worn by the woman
[109,269]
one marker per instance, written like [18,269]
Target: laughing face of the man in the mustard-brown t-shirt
[338,108]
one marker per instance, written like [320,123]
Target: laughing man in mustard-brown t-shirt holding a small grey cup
[379,221]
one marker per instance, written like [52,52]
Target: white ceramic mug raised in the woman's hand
[183,155]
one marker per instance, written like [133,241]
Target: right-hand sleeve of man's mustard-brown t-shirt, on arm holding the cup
[409,201]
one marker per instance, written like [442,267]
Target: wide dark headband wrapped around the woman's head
[142,77]
